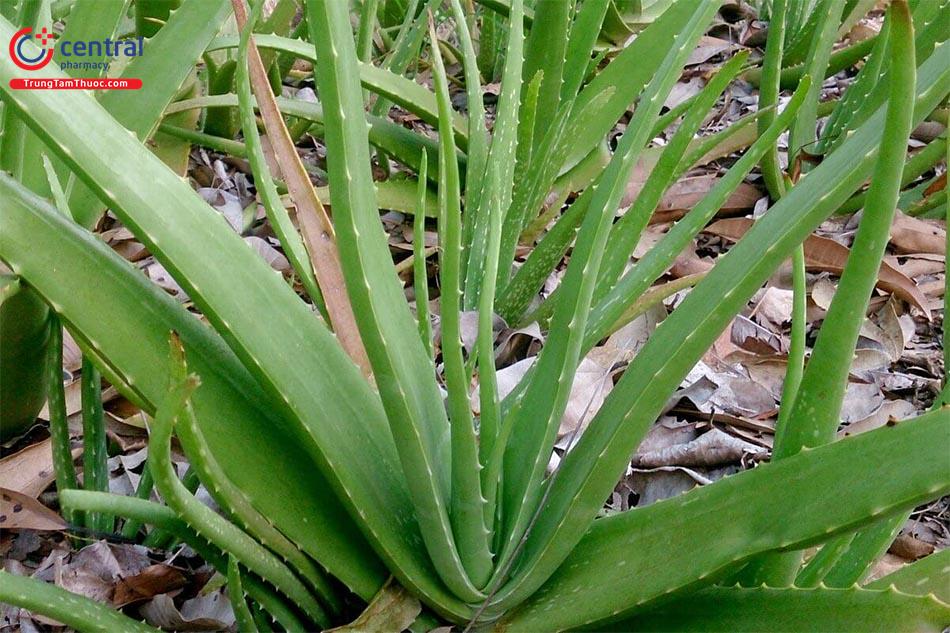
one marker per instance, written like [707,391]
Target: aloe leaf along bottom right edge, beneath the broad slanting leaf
[730,609]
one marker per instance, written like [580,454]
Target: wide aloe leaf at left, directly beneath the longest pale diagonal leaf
[119,314]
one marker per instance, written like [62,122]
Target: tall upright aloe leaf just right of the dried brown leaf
[401,366]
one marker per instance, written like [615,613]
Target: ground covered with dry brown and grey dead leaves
[721,420]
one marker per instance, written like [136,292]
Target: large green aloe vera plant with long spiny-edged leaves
[331,479]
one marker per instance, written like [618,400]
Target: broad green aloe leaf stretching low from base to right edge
[632,559]
